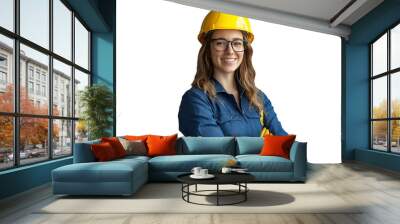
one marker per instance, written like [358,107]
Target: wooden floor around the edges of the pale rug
[353,182]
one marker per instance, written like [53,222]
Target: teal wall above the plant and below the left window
[99,16]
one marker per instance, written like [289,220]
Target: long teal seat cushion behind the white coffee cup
[185,163]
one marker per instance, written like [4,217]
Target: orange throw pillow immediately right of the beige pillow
[161,145]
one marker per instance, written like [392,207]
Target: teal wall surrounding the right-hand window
[355,124]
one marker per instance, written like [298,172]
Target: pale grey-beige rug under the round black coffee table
[166,198]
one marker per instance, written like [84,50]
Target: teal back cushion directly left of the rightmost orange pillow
[249,145]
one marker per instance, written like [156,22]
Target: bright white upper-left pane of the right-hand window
[379,55]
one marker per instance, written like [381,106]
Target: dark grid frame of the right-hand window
[388,74]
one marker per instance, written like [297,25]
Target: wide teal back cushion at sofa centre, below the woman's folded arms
[206,145]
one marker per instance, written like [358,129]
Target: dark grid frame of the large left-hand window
[15,71]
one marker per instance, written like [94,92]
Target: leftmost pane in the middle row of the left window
[6,74]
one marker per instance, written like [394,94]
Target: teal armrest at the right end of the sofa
[298,155]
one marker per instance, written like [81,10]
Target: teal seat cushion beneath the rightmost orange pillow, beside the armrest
[257,163]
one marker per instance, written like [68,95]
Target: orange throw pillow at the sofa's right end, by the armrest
[277,145]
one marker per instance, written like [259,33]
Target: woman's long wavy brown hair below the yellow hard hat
[245,74]
